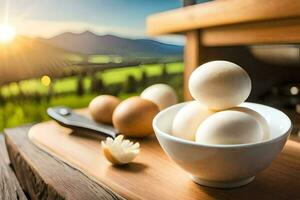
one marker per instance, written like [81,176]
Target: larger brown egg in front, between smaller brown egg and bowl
[133,117]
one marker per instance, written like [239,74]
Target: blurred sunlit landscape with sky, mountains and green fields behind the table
[51,56]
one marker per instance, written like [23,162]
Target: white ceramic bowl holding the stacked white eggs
[223,166]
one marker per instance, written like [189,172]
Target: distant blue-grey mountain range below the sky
[89,43]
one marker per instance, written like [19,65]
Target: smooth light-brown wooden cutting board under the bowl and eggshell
[153,176]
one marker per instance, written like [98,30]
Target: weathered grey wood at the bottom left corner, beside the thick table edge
[10,188]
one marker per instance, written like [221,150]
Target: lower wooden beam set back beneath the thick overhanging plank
[279,31]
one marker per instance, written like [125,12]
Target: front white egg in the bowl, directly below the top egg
[229,127]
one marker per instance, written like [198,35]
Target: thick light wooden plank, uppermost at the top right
[218,13]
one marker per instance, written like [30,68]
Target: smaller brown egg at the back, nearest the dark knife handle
[102,107]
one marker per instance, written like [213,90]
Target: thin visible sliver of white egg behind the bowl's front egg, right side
[261,120]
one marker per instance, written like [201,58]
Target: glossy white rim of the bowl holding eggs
[193,143]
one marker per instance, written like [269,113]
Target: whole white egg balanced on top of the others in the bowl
[220,85]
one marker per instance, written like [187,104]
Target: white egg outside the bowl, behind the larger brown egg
[161,94]
